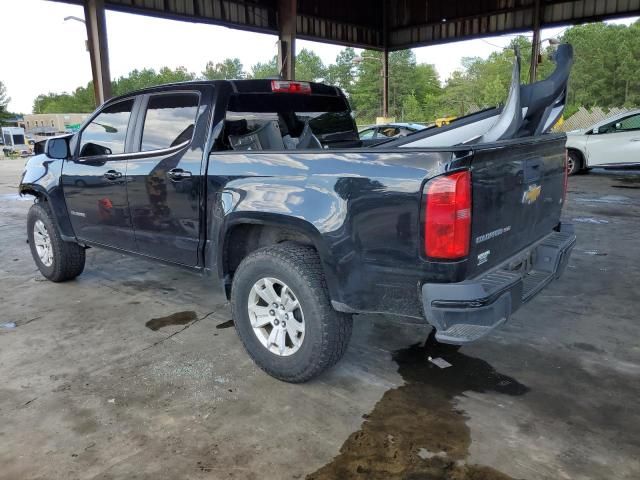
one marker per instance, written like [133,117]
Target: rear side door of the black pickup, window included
[165,177]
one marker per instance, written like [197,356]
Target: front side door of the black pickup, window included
[94,180]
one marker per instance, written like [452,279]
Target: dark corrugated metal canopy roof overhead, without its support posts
[361,23]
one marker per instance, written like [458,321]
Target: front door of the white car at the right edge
[616,143]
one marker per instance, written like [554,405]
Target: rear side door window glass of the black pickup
[169,120]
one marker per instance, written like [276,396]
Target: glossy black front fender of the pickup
[41,178]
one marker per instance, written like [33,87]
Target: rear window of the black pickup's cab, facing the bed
[266,120]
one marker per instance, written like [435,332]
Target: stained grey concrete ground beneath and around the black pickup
[130,372]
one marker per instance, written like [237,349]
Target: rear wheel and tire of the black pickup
[282,313]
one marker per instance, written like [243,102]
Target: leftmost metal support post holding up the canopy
[96,23]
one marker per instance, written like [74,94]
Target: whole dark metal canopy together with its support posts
[384,25]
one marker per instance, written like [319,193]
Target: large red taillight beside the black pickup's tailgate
[447,225]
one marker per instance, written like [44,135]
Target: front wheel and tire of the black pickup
[56,259]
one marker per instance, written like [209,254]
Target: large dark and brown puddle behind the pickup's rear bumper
[416,431]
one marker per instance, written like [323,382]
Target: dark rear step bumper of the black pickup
[466,311]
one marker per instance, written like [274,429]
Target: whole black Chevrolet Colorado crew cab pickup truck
[264,187]
